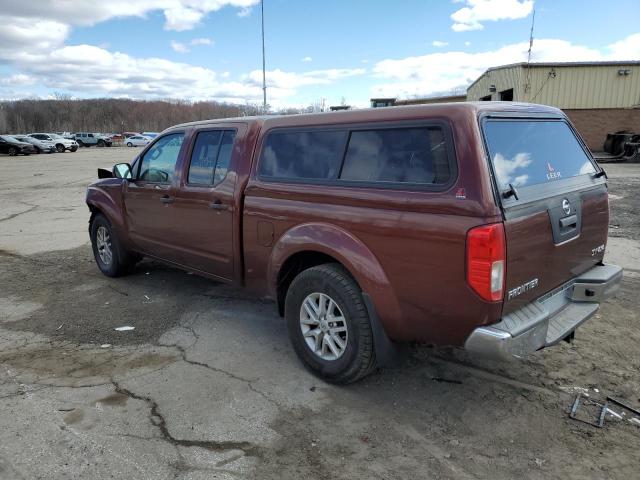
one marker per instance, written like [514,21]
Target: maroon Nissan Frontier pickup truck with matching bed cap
[480,225]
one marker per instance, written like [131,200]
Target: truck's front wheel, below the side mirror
[112,259]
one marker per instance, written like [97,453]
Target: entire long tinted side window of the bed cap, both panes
[411,155]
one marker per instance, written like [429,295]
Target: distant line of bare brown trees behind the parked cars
[111,115]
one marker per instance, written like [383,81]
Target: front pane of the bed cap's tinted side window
[303,155]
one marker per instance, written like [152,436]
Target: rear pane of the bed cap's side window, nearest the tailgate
[399,155]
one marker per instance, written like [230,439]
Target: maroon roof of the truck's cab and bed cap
[409,112]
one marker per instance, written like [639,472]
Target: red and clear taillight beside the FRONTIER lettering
[486,261]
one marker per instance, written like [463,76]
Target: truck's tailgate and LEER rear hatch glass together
[554,201]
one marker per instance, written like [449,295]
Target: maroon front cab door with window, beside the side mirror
[148,199]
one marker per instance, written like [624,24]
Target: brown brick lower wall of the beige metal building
[594,124]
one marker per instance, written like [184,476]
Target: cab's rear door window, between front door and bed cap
[211,156]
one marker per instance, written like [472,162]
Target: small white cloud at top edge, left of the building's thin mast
[475,12]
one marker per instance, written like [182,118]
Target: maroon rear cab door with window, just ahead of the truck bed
[203,208]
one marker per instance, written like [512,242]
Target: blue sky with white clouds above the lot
[331,51]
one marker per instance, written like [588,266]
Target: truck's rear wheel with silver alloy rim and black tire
[328,324]
